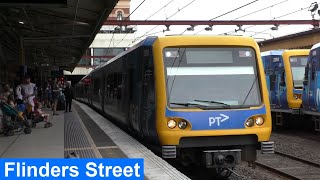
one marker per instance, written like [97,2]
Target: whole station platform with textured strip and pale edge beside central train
[87,134]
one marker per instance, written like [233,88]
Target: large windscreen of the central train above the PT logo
[216,77]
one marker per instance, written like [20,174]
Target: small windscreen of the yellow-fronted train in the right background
[298,64]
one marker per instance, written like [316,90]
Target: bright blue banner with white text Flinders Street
[71,168]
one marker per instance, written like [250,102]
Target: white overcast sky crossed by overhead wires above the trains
[208,9]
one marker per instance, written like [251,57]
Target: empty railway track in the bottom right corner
[289,166]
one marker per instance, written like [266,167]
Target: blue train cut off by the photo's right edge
[311,93]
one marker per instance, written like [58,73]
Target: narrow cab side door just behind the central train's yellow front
[148,97]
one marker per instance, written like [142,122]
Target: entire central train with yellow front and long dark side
[197,99]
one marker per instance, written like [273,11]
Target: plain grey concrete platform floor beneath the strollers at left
[42,142]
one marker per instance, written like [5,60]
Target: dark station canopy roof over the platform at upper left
[50,32]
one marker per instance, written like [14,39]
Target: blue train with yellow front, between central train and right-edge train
[284,71]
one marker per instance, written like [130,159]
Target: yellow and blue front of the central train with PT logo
[211,99]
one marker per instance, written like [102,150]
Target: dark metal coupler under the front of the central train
[222,158]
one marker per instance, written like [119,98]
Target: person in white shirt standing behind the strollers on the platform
[29,90]
